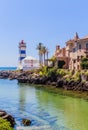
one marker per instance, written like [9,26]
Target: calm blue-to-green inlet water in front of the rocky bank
[43,108]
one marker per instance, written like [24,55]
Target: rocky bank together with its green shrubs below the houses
[61,78]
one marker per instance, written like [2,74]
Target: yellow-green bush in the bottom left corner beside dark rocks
[5,125]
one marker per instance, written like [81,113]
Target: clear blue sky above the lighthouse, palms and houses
[51,22]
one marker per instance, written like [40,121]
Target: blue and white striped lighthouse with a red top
[22,51]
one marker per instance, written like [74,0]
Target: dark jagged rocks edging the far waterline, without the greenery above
[56,81]
